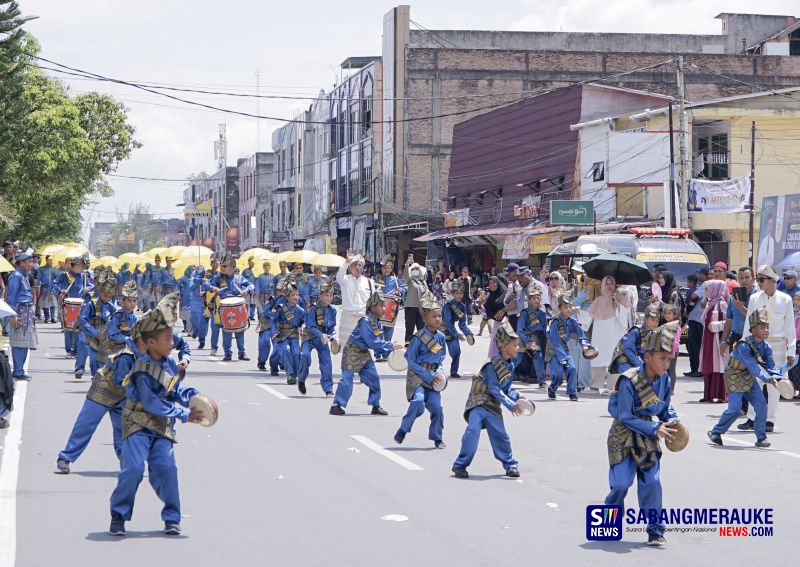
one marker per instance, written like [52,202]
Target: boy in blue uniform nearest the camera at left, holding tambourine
[156,398]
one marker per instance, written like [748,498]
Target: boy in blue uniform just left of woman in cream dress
[562,327]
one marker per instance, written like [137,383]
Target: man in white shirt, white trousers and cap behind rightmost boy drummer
[782,335]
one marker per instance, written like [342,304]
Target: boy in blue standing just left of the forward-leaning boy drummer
[320,330]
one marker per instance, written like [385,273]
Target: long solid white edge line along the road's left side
[9,473]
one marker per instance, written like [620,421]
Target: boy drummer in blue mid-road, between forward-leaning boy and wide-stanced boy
[425,375]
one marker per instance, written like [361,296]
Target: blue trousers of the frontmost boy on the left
[158,452]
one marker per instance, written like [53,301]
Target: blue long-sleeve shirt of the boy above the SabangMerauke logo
[625,405]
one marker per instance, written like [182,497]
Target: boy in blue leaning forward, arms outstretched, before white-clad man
[368,335]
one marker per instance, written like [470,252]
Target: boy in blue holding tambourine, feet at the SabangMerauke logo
[642,393]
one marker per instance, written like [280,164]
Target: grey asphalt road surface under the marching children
[280,482]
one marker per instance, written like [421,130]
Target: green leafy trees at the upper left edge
[54,149]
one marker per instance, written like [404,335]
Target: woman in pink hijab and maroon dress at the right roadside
[712,364]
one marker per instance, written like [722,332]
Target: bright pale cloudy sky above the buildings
[296,48]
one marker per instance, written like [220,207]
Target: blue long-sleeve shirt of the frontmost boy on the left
[154,397]
